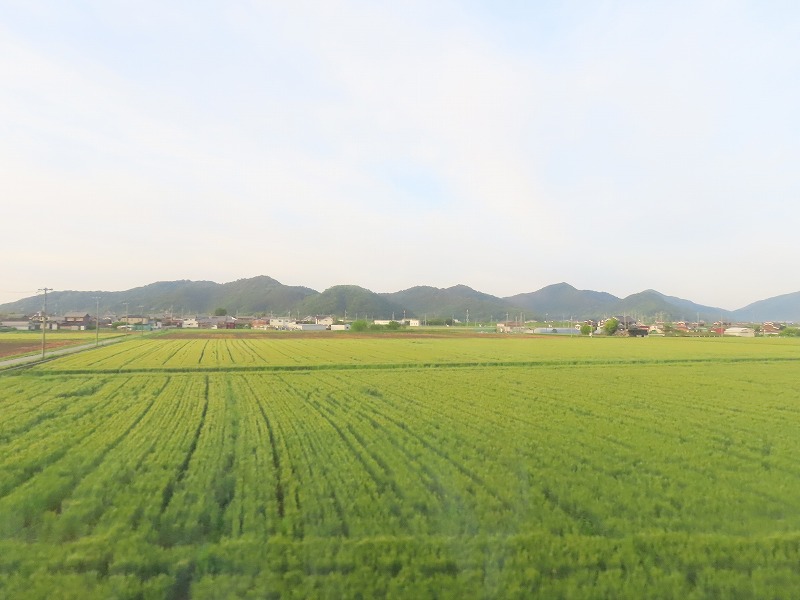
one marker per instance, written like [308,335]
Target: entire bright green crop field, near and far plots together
[411,467]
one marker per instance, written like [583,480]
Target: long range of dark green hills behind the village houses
[265,295]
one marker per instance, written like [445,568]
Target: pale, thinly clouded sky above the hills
[505,145]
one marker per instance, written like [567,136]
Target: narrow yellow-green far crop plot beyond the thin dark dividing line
[163,353]
